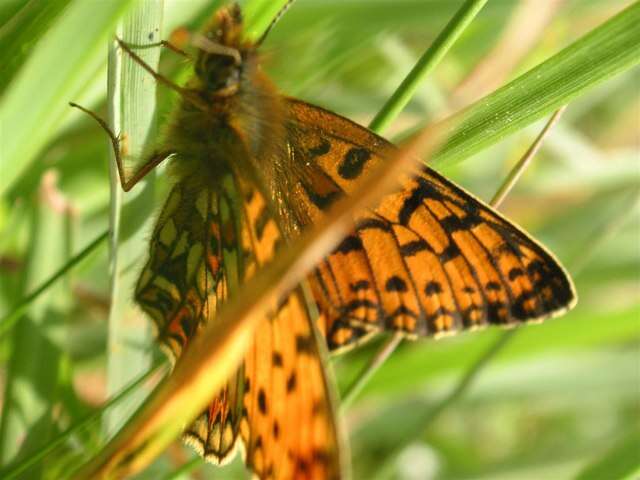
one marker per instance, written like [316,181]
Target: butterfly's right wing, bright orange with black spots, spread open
[429,259]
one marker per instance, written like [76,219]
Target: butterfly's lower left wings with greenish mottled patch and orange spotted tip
[205,244]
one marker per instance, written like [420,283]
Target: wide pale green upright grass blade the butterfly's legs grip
[132,104]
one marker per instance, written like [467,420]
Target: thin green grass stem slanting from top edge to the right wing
[430,58]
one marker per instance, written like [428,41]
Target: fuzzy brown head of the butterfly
[222,53]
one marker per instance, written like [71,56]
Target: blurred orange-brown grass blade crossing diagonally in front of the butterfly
[214,354]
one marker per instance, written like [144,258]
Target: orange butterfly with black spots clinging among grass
[252,169]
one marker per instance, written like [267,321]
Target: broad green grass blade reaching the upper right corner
[607,50]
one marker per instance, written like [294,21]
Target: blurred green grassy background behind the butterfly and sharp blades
[554,401]
